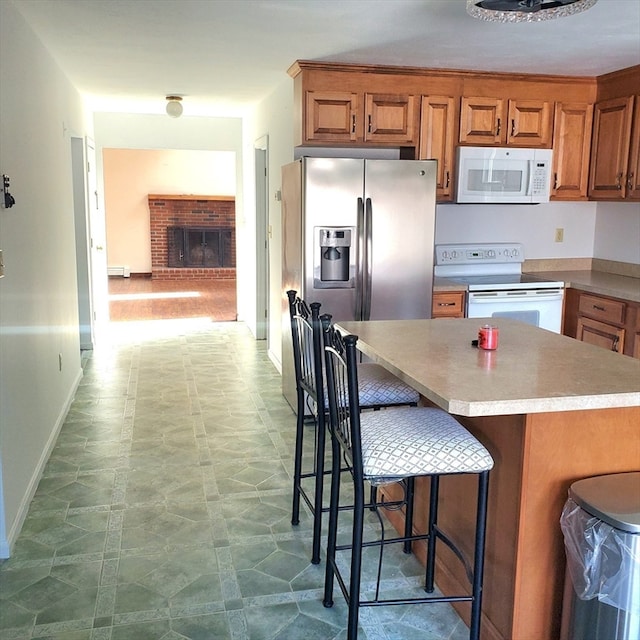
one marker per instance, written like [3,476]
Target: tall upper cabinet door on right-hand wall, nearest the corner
[610,149]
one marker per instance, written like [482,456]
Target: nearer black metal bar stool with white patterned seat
[396,445]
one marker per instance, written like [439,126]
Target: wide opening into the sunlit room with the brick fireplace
[148,192]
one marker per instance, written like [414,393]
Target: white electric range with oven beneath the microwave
[496,285]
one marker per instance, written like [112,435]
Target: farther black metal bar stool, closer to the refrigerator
[377,388]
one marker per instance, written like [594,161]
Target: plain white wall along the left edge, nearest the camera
[38,295]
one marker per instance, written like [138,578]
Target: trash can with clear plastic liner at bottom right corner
[601,526]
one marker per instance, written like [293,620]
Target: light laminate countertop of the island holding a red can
[532,371]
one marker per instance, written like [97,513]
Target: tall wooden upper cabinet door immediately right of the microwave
[571,146]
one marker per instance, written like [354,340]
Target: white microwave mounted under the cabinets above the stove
[503,175]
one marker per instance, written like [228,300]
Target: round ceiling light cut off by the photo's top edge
[525,10]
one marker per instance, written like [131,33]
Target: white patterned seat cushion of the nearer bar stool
[415,441]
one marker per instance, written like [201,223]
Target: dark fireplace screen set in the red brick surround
[200,247]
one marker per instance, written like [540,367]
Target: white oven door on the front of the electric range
[539,307]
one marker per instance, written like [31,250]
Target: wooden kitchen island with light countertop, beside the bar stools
[551,410]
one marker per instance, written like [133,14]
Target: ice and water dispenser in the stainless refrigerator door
[334,260]
